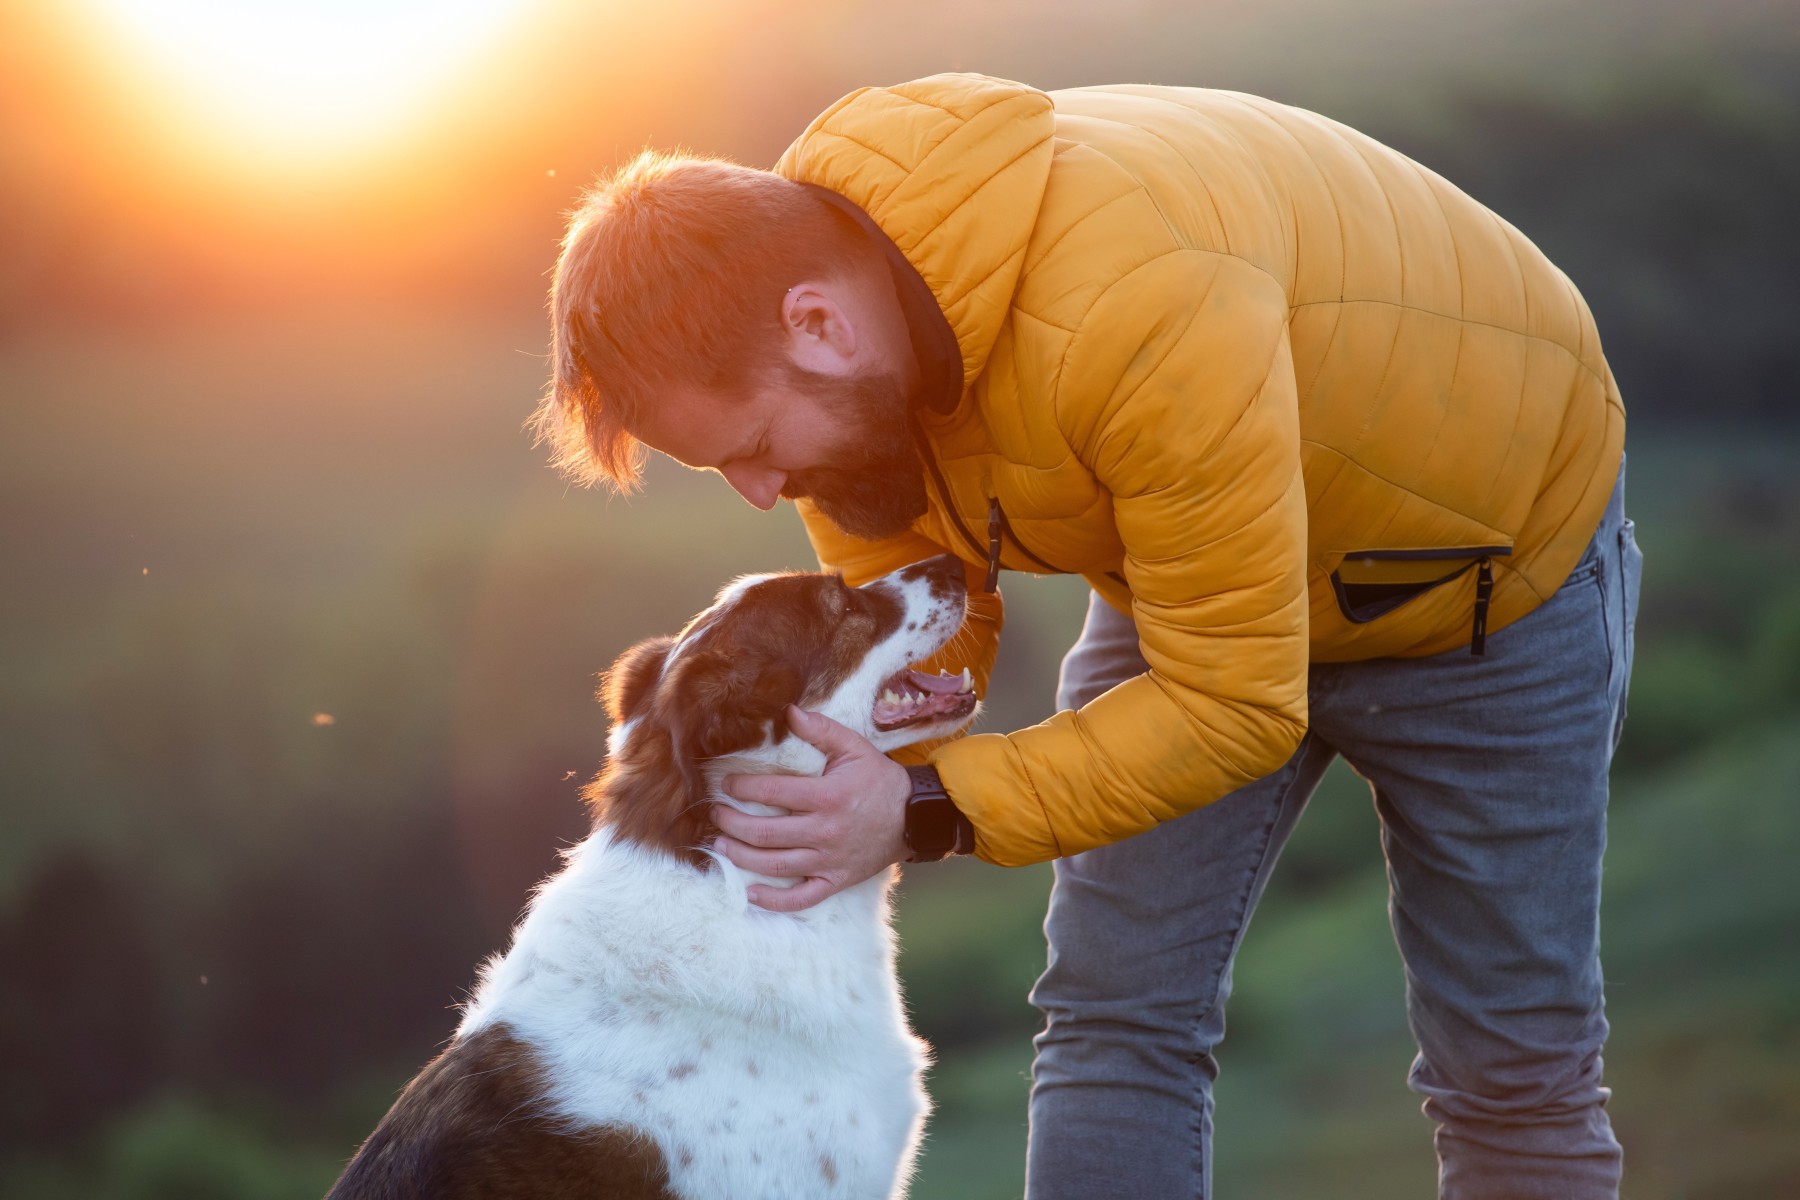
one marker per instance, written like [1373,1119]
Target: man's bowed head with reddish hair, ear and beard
[739,323]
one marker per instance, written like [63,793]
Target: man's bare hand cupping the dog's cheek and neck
[841,827]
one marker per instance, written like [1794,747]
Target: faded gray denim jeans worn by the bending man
[1491,780]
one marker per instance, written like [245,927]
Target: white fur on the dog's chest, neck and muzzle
[768,1055]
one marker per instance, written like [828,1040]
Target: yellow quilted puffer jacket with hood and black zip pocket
[1273,390]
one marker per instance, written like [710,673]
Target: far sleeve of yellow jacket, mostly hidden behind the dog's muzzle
[859,562]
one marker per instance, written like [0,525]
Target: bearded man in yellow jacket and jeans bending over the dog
[1342,460]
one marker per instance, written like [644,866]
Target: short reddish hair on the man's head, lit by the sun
[672,274]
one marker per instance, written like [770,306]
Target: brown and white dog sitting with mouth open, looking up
[651,1034]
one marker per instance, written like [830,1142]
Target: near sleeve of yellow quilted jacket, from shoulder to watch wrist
[1178,393]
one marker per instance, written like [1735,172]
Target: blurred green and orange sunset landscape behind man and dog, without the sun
[300,636]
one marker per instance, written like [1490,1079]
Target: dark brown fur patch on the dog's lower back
[474,1127]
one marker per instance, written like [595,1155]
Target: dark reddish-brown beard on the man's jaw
[877,488]
